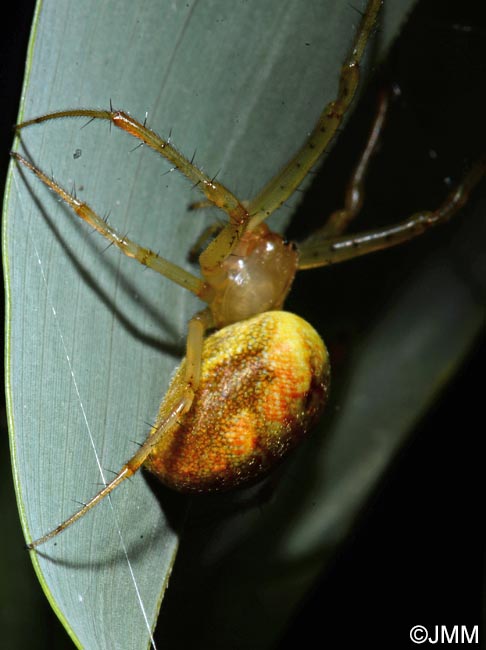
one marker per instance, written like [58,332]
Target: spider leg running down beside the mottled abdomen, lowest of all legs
[196,329]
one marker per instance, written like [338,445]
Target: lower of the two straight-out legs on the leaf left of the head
[145,256]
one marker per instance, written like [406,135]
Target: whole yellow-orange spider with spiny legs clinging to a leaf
[246,394]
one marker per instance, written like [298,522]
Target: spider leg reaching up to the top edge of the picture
[278,190]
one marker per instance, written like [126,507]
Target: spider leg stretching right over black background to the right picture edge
[324,251]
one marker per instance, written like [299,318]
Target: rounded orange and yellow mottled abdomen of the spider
[263,383]
